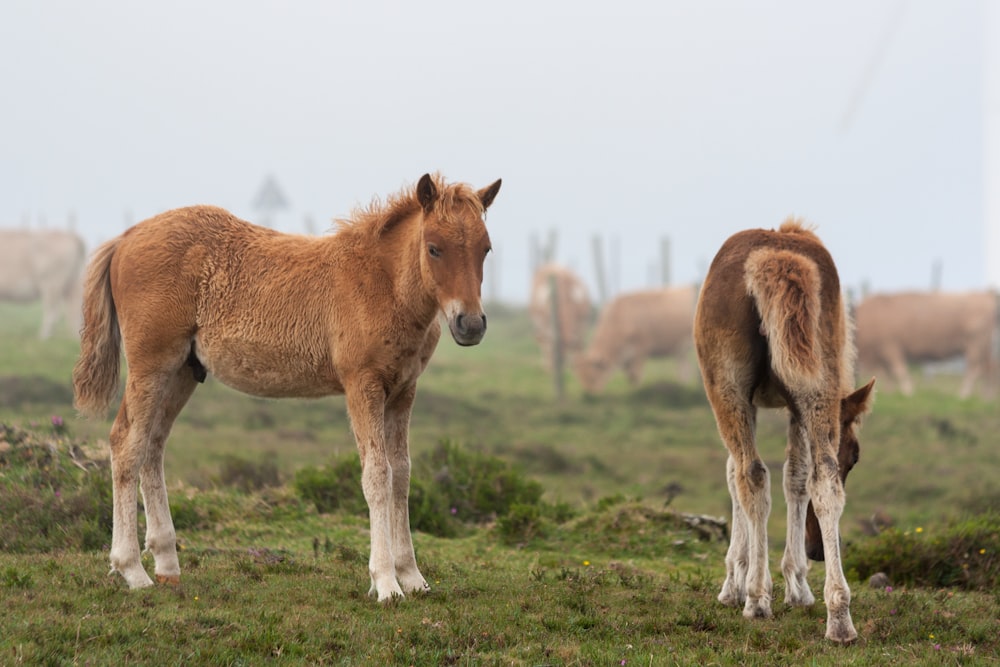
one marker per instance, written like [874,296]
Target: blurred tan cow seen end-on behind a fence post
[573,306]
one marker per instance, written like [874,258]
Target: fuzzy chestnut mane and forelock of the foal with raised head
[379,215]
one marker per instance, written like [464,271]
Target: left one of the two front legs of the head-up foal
[366,406]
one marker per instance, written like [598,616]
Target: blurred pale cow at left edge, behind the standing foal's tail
[43,265]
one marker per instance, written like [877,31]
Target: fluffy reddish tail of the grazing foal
[785,286]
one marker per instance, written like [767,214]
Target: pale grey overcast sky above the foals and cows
[630,120]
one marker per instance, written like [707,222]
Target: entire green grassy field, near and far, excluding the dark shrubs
[620,584]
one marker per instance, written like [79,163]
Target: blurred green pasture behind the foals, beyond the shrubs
[923,457]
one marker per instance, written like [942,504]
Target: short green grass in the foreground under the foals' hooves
[253,593]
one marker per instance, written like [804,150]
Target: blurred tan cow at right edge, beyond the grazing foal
[896,329]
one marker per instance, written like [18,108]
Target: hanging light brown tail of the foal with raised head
[97,371]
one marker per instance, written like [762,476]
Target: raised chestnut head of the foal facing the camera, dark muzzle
[455,244]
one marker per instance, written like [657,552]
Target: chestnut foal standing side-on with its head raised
[196,291]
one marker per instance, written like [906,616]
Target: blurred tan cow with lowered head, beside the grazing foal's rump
[637,326]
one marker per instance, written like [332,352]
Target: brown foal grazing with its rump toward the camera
[771,331]
